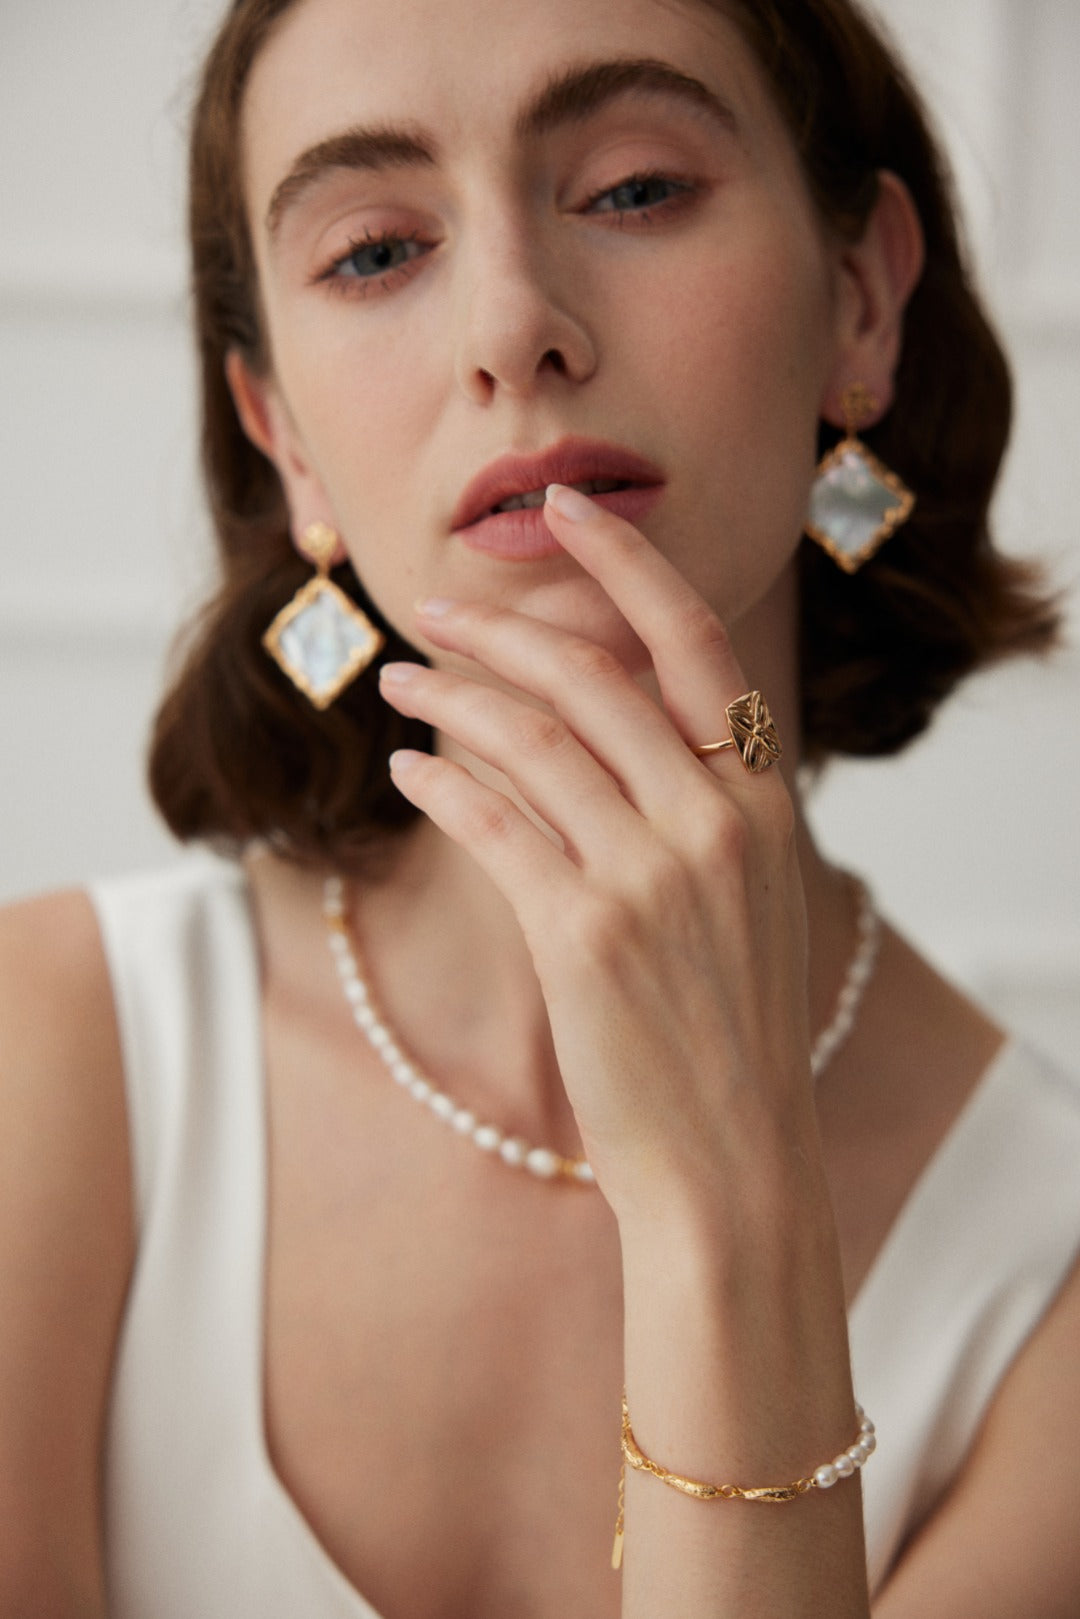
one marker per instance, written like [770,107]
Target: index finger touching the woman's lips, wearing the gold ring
[695,666]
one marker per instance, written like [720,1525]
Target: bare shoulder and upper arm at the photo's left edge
[66,1239]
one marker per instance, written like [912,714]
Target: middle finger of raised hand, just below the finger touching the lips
[587,687]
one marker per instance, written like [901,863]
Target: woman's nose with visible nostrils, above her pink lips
[517,329]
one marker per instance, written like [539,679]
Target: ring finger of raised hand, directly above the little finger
[561,780]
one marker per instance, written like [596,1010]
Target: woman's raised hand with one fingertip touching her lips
[668,933]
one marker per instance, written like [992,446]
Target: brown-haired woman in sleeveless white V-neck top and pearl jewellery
[302,1343]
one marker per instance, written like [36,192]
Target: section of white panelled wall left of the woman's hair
[103,535]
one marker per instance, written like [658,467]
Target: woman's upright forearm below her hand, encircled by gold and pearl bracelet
[738,1372]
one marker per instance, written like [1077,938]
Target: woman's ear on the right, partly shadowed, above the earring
[878,276]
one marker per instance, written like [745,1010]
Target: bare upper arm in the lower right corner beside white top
[1005,1542]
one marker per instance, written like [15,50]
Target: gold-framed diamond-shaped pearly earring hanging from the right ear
[856,501]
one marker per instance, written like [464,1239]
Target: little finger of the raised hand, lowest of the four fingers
[521,860]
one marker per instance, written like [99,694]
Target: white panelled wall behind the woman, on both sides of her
[971,838]
